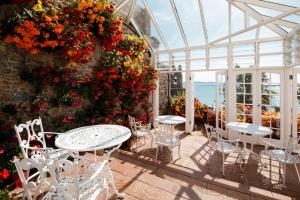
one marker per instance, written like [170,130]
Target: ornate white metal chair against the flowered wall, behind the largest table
[31,137]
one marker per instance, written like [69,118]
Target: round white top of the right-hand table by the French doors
[252,129]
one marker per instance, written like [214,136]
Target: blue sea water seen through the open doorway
[205,92]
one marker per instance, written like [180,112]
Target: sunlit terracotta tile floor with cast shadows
[194,176]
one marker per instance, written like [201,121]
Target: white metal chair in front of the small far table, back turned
[168,137]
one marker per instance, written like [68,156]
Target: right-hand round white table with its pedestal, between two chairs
[253,129]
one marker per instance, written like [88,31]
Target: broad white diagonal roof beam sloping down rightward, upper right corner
[252,13]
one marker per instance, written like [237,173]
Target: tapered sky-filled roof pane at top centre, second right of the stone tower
[191,21]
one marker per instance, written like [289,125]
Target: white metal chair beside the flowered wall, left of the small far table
[140,130]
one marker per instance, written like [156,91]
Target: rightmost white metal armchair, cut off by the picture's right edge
[284,155]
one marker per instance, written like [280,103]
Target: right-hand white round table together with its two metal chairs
[283,155]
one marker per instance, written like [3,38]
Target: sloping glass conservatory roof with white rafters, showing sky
[181,24]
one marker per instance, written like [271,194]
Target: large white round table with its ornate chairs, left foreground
[65,173]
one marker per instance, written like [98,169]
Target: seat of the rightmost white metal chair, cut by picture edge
[278,154]
